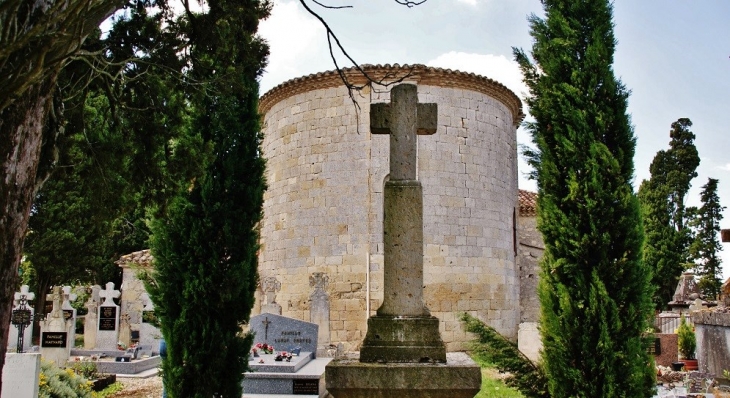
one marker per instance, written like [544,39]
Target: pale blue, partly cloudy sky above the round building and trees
[673,55]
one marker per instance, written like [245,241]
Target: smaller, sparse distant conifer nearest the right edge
[706,246]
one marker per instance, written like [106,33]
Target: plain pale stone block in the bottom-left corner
[21,375]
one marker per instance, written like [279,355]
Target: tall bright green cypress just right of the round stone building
[594,289]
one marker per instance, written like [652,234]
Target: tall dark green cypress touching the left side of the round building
[205,248]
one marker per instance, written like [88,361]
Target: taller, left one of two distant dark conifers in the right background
[666,247]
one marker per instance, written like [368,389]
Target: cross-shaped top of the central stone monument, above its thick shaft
[403,118]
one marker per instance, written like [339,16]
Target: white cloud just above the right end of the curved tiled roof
[495,67]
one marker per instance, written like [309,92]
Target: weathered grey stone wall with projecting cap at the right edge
[712,329]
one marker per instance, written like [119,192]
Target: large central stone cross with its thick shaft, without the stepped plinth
[403,119]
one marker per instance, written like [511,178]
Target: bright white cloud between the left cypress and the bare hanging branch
[293,36]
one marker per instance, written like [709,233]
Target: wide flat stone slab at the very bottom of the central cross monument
[459,377]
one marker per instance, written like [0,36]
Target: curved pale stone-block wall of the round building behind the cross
[323,210]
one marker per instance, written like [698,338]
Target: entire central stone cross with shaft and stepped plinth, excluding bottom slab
[403,329]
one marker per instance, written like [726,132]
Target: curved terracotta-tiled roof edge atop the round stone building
[421,74]
